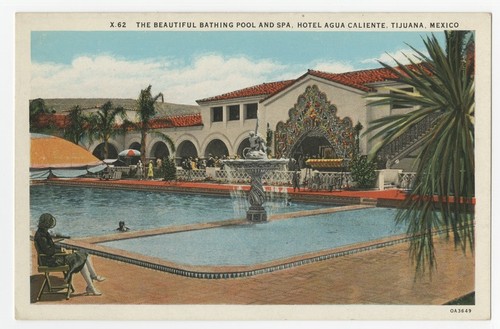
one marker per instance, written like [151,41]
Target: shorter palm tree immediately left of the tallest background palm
[103,124]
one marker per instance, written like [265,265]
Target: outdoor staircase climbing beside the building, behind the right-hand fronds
[408,142]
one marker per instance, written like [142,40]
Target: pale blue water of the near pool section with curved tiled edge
[258,243]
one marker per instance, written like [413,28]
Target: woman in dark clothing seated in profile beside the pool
[77,261]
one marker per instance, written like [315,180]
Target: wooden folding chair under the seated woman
[66,288]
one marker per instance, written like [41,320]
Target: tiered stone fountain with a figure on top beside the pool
[256,164]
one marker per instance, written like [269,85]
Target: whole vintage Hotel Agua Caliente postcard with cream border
[253,166]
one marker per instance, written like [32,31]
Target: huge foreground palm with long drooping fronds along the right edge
[443,193]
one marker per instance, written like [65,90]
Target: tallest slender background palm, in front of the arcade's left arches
[146,111]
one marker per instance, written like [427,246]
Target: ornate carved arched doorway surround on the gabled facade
[313,126]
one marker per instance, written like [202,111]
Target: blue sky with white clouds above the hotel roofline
[187,66]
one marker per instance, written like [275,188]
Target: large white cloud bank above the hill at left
[109,77]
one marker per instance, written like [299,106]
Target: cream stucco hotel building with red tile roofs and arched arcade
[313,115]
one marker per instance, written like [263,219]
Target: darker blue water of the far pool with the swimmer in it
[85,212]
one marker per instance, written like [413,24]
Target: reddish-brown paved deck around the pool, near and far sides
[383,276]
